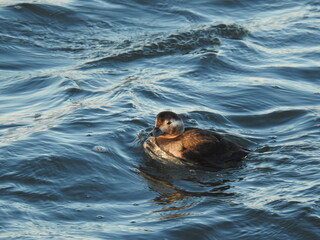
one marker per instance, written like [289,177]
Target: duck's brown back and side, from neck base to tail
[203,147]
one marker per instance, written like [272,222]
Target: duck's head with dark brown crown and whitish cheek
[168,125]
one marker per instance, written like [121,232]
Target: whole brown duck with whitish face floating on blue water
[171,142]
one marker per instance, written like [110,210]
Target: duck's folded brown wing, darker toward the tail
[208,148]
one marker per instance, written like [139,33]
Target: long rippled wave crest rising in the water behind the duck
[181,42]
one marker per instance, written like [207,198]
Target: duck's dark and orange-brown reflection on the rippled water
[180,188]
